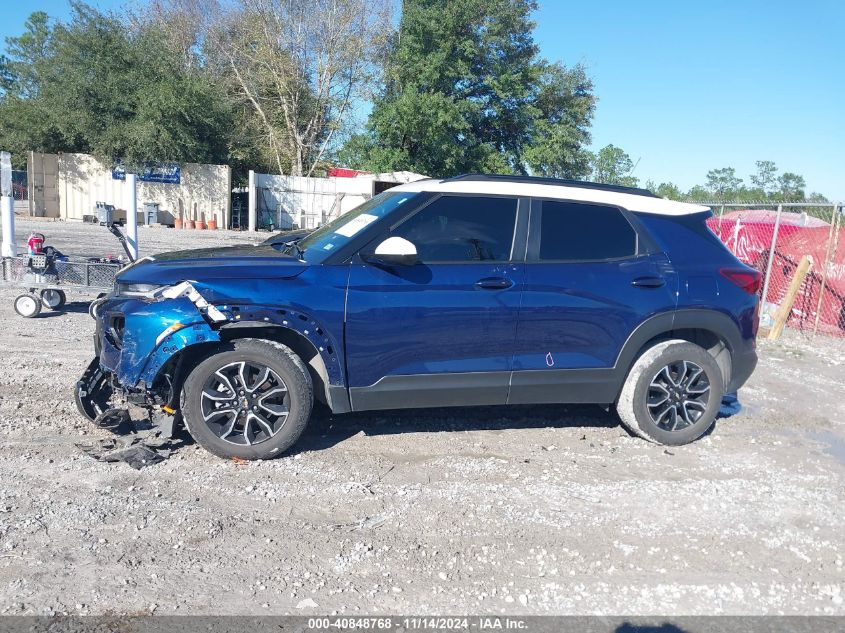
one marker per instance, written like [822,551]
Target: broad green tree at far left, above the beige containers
[93,85]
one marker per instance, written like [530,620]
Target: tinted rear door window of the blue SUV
[572,231]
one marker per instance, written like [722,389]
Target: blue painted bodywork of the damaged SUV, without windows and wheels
[444,334]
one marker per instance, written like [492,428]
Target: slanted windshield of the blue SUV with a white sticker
[317,246]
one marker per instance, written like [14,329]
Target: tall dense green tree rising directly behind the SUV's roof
[465,91]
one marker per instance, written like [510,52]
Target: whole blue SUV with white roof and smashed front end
[475,290]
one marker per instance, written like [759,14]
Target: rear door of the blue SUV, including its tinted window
[592,275]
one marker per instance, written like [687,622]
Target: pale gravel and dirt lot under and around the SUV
[545,509]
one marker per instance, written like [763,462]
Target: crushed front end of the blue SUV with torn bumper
[141,331]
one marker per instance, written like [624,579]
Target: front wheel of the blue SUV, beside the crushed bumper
[247,438]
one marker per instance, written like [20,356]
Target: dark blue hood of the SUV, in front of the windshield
[228,262]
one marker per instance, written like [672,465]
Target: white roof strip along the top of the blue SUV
[630,201]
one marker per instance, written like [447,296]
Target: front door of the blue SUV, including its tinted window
[440,332]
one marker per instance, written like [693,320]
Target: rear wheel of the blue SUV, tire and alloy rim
[666,367]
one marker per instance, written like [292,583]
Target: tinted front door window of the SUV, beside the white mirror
[462,228]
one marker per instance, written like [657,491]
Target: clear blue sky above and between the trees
[685,87]
